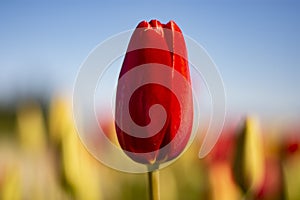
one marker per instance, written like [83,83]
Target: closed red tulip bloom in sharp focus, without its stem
[161,52]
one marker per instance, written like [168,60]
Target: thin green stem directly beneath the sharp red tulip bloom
[153,178]
